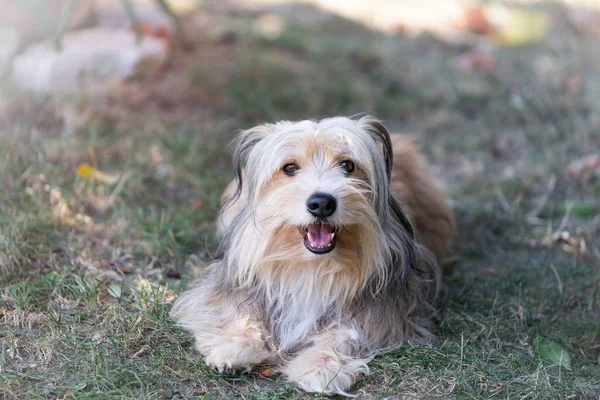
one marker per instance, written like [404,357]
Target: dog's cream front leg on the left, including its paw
[229,339]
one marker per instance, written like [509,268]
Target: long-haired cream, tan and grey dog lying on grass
[331,235]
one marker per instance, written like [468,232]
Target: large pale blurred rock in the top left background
[88,55]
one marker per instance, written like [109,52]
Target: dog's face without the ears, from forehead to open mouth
[318,187]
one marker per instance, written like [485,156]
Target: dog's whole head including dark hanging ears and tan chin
[316,189]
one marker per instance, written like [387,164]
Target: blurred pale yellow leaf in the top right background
[520,28]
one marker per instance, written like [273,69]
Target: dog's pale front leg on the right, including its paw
[328,365]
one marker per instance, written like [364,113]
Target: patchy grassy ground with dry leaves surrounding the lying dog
[90,264]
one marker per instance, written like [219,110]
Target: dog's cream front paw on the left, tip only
[238,356]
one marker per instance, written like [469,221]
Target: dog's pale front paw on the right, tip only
[324,371]
